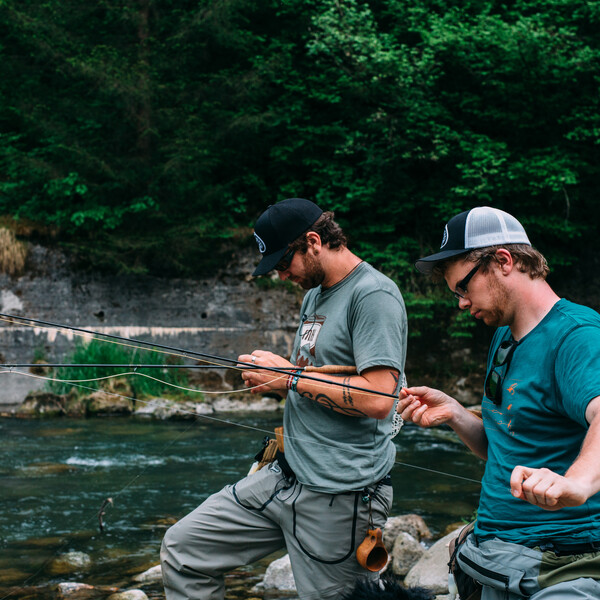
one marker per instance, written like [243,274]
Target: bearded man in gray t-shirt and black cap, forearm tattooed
[338,446]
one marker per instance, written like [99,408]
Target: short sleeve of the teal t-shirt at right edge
[578,370]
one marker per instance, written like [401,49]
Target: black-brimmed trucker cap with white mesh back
[476,228]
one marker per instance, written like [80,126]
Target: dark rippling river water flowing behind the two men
[56,474]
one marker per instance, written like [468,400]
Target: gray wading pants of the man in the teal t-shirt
[511,571]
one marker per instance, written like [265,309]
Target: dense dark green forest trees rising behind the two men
[147,133]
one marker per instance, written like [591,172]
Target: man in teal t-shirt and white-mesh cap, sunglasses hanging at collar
[537,534]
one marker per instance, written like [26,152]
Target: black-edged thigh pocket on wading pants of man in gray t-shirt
[325,525]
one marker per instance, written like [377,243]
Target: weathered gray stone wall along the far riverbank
[222,315]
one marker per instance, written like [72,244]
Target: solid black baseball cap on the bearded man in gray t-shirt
[279,226]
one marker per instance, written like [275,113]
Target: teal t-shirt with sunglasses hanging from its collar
[553,375]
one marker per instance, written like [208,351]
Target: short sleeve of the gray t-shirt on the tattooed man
[379,331]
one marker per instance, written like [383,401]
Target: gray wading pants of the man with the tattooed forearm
[260,514]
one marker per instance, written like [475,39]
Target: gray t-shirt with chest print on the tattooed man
[360,321]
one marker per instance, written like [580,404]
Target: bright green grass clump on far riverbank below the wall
[142,384]
